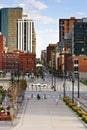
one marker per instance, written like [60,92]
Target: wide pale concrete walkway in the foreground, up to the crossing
[45,114]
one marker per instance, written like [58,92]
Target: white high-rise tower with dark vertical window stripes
[26,35]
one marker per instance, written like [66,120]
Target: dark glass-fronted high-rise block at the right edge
[79,38]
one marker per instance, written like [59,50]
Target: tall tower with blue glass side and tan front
[8,25]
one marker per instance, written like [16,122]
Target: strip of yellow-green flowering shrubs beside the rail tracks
[82,114]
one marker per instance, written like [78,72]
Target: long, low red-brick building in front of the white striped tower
[19,62]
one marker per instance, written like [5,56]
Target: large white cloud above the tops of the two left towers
[31,8]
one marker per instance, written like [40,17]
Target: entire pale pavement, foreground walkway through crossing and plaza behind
[45,114]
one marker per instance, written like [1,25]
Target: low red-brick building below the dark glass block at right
[77,64]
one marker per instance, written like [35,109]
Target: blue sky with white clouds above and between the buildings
[46,15]
